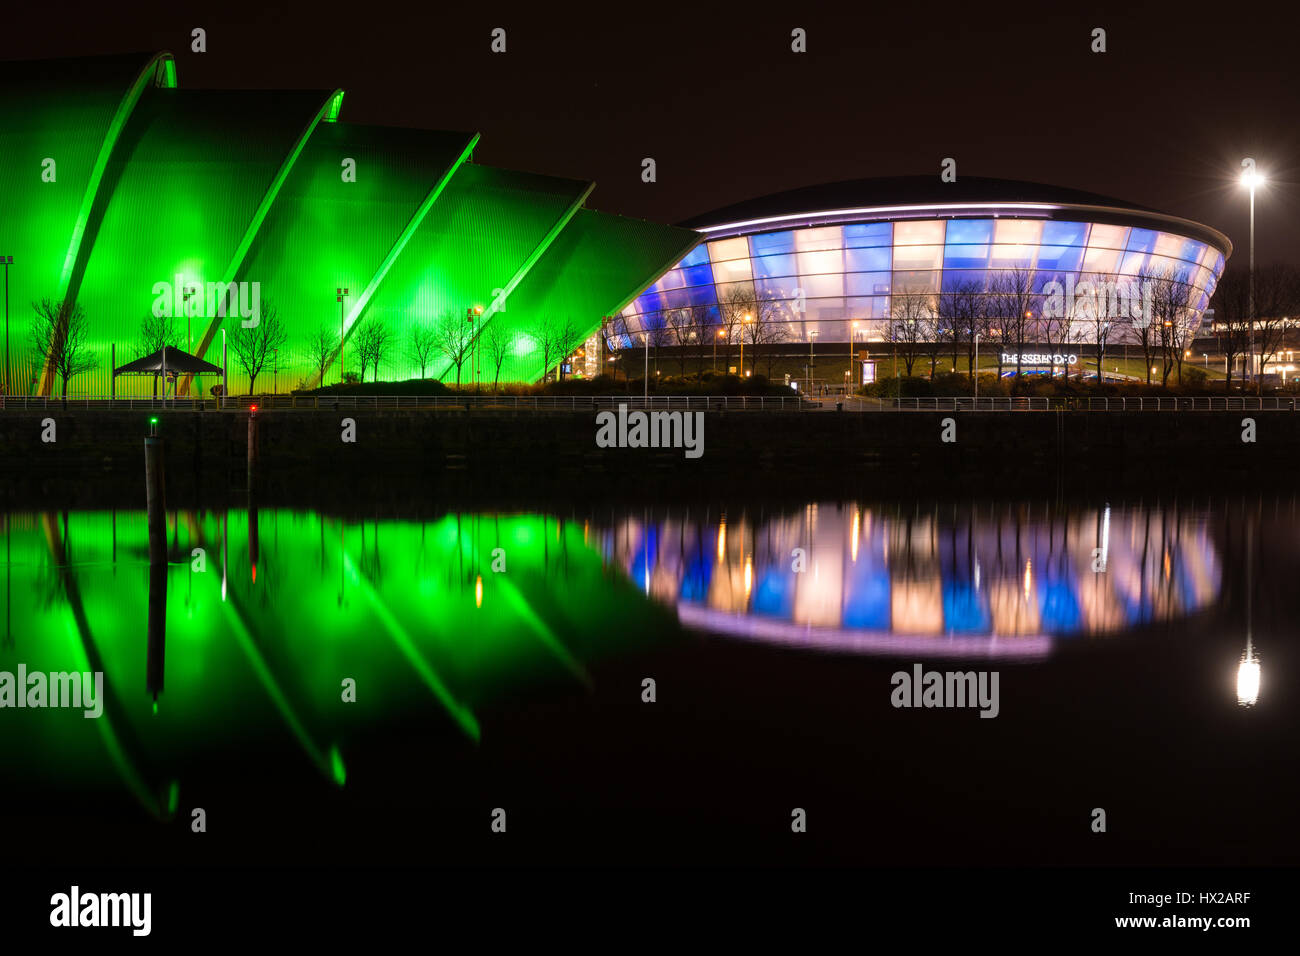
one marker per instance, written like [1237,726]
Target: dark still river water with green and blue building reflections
[500,661]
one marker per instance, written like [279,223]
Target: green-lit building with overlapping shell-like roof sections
[118,188]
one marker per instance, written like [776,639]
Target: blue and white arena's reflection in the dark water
[944,582]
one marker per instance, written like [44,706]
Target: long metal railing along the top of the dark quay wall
[510,404]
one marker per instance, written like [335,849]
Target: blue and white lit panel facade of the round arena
[826,278]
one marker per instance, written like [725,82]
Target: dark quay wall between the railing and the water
[98,458]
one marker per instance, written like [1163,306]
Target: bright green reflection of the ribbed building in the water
[253,637]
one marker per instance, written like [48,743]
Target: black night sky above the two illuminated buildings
[729,113]
